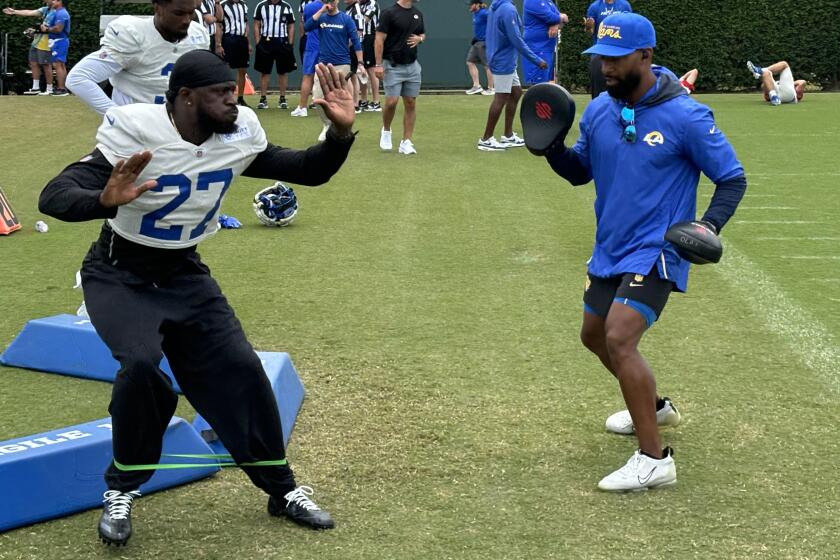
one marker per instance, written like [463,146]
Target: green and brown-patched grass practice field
[432,306]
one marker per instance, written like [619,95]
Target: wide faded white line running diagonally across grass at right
[802,333]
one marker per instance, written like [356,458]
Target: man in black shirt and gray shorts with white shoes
[399,33]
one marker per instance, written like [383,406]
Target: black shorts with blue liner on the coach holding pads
[646,294]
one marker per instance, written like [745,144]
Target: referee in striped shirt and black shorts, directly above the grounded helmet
[274,32]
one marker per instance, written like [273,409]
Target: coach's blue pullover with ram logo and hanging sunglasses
[645,187]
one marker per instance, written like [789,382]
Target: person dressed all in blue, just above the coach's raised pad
[543,22]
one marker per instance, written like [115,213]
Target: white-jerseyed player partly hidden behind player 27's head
[137,54]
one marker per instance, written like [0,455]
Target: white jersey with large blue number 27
[183,208]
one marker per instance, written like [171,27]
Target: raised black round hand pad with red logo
[547,114]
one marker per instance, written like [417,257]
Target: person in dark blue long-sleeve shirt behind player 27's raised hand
[336,30]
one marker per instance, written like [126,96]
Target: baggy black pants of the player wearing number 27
[145,302]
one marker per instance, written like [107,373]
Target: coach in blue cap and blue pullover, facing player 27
[644,143]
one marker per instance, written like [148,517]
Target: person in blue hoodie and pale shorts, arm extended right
[504,43]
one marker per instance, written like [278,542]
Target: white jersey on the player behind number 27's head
[146,57]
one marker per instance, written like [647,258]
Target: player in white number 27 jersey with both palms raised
[158,176]
